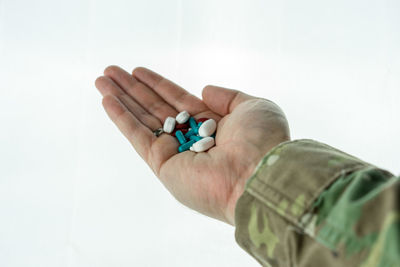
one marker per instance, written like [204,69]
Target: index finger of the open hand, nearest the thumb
[175,95]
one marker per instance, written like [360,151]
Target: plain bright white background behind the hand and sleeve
[72,190]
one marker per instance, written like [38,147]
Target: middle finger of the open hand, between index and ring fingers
[147,98]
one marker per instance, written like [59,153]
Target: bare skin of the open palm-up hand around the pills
[209,182]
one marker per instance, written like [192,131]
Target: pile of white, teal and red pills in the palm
[195,135]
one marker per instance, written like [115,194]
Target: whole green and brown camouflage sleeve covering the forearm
[308,204]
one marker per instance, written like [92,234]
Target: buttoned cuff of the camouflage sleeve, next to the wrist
[284,186]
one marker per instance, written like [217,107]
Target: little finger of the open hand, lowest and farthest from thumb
[138,135]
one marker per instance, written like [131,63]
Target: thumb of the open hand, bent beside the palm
[222,100]
